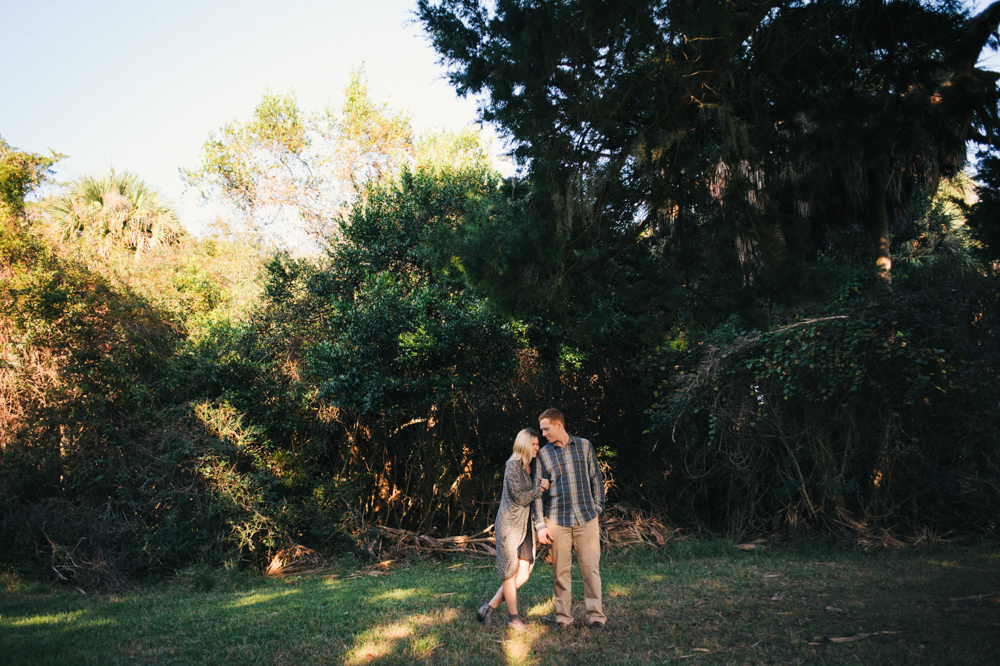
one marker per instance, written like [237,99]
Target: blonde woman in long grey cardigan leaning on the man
[515,532]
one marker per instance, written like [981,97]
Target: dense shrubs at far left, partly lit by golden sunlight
[117,458]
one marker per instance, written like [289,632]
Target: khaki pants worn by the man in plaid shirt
[586,539]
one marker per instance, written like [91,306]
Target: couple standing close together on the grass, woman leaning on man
[551,495]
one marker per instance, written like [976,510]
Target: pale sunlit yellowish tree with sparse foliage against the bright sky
[301,170]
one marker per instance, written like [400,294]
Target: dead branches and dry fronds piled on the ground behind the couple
[622,526]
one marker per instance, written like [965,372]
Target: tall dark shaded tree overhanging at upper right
[744,136]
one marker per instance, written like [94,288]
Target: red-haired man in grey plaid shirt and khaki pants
[566,515]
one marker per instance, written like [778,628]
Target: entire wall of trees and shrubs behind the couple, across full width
[758,335]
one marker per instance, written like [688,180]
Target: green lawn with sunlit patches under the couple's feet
[691,602]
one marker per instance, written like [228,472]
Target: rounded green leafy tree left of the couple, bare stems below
[391,345]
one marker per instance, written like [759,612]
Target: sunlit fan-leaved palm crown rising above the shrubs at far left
[119,210]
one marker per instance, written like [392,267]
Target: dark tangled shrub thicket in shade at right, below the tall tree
[879,409]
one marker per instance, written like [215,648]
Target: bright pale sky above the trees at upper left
[139,84]
